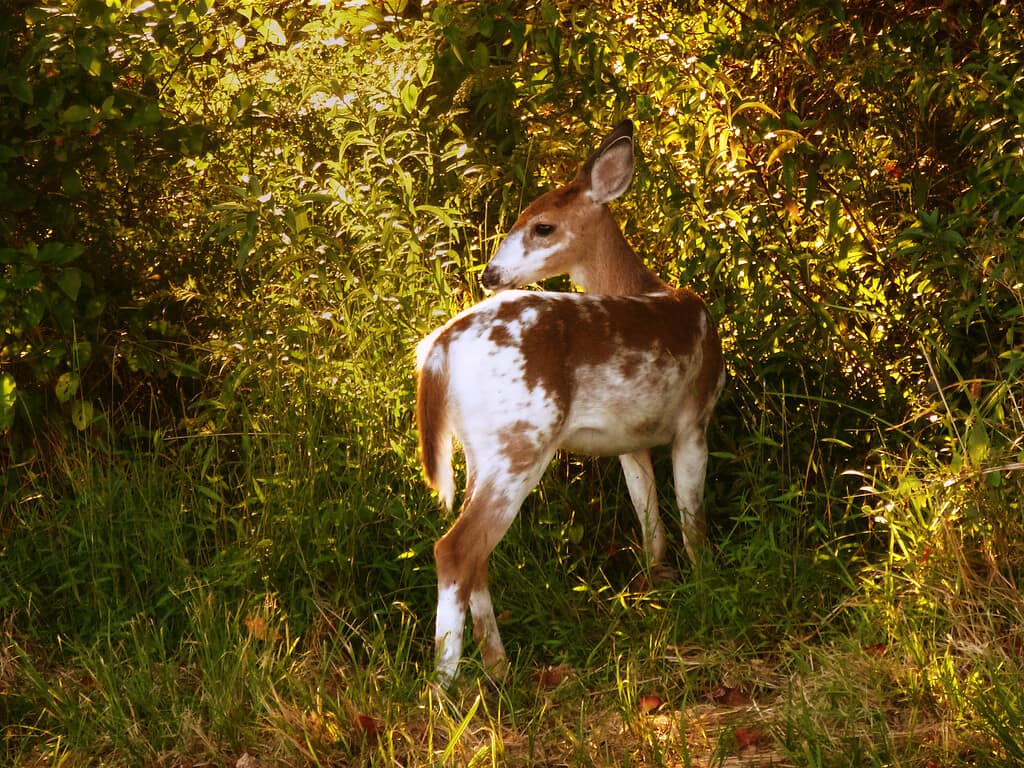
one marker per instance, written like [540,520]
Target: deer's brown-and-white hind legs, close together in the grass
[462,557]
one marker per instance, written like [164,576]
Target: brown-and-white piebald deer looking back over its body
[627,366]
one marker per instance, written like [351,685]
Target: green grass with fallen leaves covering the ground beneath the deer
[154,618]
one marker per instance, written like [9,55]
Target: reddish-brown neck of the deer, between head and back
[613,268]
